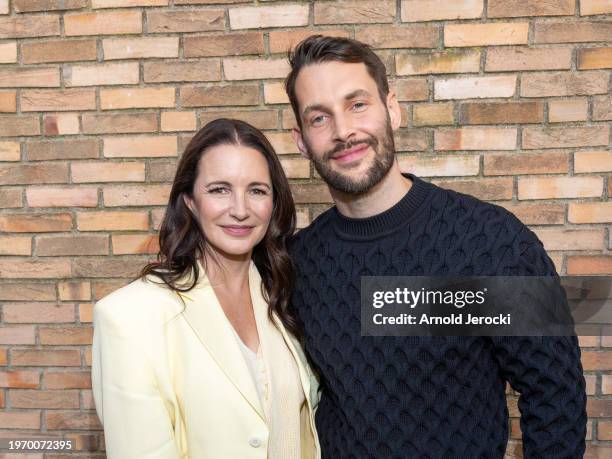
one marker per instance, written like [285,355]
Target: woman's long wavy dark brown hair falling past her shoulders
[182,241]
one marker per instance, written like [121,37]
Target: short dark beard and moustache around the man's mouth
[384,147]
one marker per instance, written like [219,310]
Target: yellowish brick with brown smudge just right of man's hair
[452,61]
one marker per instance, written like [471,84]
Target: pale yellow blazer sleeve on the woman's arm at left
[137,423]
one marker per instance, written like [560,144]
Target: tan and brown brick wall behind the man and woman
[507,100]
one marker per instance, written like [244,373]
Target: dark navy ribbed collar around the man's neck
[386,222]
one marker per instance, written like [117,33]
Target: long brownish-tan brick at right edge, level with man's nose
[564,137]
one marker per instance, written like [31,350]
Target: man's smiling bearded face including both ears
[347,130]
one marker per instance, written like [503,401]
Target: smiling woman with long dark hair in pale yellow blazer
[196,359]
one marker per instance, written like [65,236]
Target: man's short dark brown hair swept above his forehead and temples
[318,48]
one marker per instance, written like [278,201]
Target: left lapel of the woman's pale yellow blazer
[204,314]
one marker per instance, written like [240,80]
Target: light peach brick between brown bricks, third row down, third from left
[141,47]
